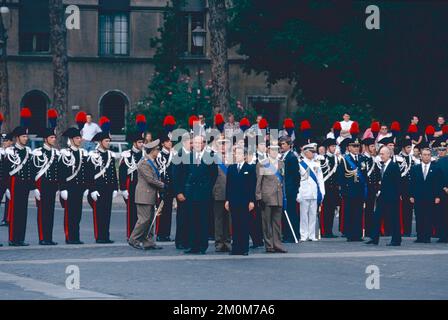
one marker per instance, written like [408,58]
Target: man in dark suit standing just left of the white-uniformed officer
[292,183]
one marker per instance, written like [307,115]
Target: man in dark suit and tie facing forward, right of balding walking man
[425,192]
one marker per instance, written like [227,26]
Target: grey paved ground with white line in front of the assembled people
[329,269]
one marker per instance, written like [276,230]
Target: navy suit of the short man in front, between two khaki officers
[240,191]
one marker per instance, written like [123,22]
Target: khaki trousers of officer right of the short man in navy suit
[272,231]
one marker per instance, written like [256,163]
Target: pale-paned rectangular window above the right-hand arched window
[114,34]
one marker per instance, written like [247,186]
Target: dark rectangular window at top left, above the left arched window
[34,26]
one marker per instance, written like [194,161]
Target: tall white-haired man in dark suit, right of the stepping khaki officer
[199,181]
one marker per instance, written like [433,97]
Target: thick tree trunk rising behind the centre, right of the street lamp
[218,53]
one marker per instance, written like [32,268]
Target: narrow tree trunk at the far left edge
[4,82]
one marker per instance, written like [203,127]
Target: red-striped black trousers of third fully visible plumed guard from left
[73,211]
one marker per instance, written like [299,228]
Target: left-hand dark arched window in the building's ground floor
[38,102]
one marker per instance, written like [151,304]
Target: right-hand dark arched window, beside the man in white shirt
[113,105]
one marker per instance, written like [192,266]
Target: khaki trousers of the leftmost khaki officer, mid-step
[141,232]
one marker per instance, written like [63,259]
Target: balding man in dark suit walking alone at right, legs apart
[388,199]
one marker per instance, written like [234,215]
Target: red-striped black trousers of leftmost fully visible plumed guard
[18,208]
